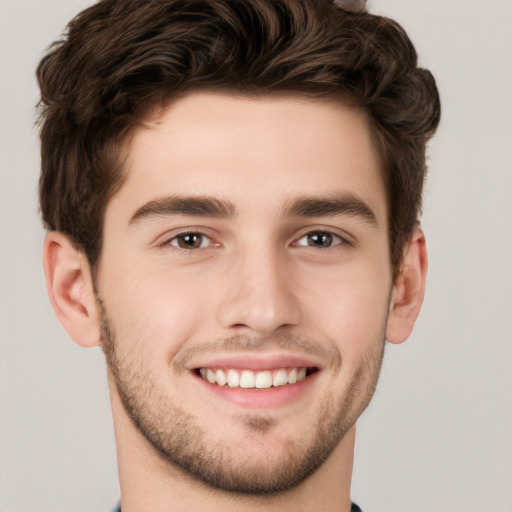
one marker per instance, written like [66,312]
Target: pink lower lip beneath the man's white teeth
[261,398]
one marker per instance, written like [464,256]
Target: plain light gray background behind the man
[438,435]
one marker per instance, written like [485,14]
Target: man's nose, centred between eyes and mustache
[258,294]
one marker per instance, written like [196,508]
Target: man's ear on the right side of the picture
[408,290]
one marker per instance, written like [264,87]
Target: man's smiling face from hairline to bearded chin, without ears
[244,285]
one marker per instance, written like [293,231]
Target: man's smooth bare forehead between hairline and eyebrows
[251,149]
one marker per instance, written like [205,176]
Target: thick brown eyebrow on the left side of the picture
[196,206]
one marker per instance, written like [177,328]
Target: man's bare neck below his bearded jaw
[150,483]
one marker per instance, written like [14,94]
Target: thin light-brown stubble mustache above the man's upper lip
[281,343]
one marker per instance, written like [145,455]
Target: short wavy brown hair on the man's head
[119,57]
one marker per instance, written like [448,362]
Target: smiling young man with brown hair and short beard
[232,191]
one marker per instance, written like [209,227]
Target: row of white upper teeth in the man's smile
[250,379]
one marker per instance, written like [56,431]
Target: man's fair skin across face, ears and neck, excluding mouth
[257,287]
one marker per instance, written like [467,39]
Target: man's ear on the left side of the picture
[70,289]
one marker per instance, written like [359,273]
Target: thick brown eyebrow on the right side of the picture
[346,204]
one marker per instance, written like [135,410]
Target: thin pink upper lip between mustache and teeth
[251,361]
